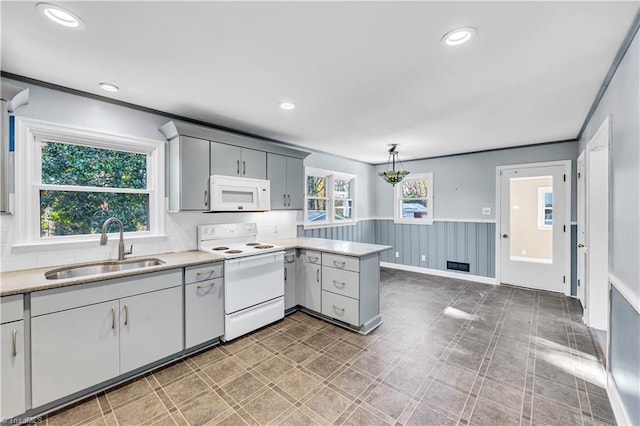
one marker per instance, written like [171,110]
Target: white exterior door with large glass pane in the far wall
[534,237]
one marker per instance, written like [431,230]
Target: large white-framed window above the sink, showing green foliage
[70,181]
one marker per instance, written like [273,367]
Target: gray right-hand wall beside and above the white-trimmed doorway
[622,102]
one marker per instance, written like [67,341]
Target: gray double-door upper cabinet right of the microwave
[287,179]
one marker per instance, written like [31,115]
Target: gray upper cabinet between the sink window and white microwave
[188,173]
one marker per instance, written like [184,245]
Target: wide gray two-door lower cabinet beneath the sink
[86,334]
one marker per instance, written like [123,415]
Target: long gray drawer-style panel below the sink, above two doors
[59,299]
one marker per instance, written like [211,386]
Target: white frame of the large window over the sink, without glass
[28,157]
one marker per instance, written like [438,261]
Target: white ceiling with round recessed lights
[362,74]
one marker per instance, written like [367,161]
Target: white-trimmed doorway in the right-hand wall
[593,228]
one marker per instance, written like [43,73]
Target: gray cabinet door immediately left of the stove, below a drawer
[204,311]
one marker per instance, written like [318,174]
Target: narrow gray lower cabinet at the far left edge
[12,359]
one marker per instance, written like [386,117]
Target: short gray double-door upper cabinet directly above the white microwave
[233,160]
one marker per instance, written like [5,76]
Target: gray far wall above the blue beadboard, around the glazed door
[464,184]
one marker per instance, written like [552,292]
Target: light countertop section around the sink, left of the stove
[28,280]
